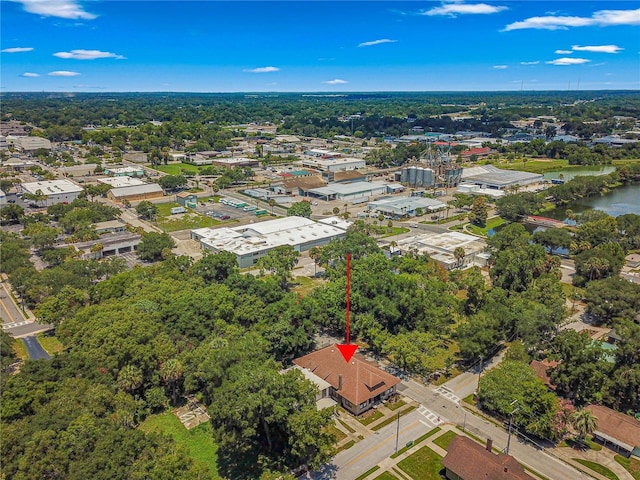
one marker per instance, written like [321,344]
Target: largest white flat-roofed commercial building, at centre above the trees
[252,242]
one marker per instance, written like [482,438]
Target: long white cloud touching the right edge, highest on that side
[601,18]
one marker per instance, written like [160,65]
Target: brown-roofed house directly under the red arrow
[357,385]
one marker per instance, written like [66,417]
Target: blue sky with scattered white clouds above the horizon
[327,46]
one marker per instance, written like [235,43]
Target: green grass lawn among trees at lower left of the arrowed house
[197,442]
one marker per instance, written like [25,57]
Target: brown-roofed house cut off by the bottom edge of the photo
[467,460]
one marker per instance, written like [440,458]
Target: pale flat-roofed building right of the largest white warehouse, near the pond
[441,247]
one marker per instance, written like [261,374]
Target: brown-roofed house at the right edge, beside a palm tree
[617,430]
